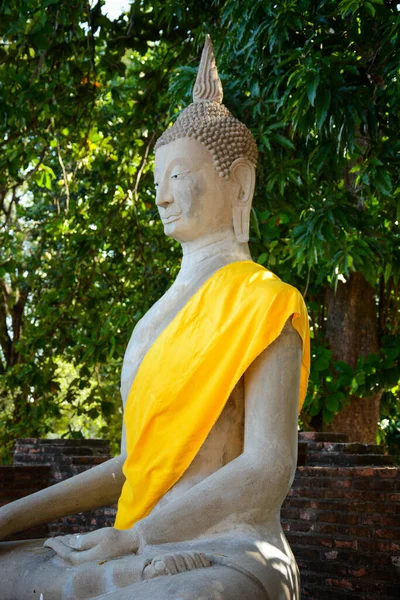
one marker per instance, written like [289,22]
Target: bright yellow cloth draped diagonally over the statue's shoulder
[188,374]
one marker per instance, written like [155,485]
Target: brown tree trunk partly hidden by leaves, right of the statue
[352,331]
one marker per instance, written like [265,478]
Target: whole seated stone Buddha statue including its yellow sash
[211,383]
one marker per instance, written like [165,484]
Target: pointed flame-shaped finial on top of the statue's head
[208,84]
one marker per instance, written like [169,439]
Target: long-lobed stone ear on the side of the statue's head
[243,173]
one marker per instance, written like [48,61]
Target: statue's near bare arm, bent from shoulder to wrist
[252,487]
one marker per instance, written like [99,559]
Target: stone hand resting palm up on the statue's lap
[101,545]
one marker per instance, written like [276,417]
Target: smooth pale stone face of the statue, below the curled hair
[192,199]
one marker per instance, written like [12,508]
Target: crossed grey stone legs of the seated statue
[238,570]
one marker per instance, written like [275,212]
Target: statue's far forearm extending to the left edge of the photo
[97,487]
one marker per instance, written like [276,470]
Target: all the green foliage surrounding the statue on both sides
[82,253]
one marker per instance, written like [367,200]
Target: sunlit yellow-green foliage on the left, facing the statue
[82,255]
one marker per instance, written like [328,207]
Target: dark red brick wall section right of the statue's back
[343,522]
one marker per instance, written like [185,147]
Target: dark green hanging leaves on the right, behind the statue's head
[325,78]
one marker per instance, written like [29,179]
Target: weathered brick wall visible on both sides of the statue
[341,517]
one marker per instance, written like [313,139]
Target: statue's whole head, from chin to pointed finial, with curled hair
[205,165]
